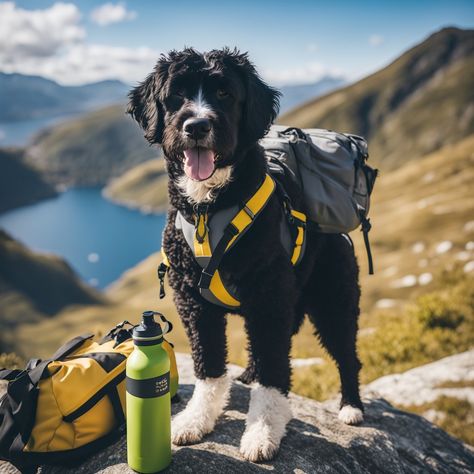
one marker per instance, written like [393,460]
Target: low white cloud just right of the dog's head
[304,74]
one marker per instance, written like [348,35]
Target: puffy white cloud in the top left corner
[37,33]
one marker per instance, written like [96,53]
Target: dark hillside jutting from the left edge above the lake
[20,184]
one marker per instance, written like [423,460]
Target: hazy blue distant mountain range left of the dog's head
[25,97]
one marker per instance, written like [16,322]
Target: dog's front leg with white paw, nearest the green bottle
[205,327]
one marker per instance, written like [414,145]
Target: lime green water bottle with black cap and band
[148,399]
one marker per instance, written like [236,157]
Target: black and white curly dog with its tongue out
[209,111]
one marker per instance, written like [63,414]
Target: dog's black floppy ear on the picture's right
[261,105]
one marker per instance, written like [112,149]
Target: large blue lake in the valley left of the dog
[100,240]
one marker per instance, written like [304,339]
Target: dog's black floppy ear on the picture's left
[144,104]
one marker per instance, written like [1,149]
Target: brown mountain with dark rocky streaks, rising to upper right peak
[420,102]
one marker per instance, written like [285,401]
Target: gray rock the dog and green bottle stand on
[389,441]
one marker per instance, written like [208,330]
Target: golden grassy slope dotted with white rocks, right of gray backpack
[422,218]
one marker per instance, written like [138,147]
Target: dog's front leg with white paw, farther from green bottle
[268,311]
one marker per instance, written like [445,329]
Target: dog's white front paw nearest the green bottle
[200,415]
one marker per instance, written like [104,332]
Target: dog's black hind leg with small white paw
[332,301]
